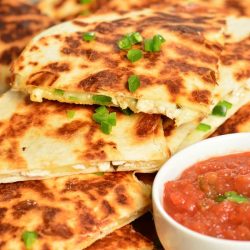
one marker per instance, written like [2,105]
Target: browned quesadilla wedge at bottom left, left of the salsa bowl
[69,212]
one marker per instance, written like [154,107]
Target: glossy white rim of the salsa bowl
[157,199]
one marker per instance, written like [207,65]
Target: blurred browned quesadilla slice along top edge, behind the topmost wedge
[64,10]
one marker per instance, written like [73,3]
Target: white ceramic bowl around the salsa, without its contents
[173,235]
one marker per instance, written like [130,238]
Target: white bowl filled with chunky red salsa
[201,196]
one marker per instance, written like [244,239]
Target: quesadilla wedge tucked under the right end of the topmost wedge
[234,88]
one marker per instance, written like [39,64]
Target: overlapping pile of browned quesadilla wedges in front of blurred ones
[68,178]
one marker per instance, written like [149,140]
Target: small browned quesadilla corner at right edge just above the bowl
[239,122]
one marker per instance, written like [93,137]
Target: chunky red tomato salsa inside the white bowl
[212,197]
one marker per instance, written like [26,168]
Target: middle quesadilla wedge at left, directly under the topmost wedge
[41,140]
